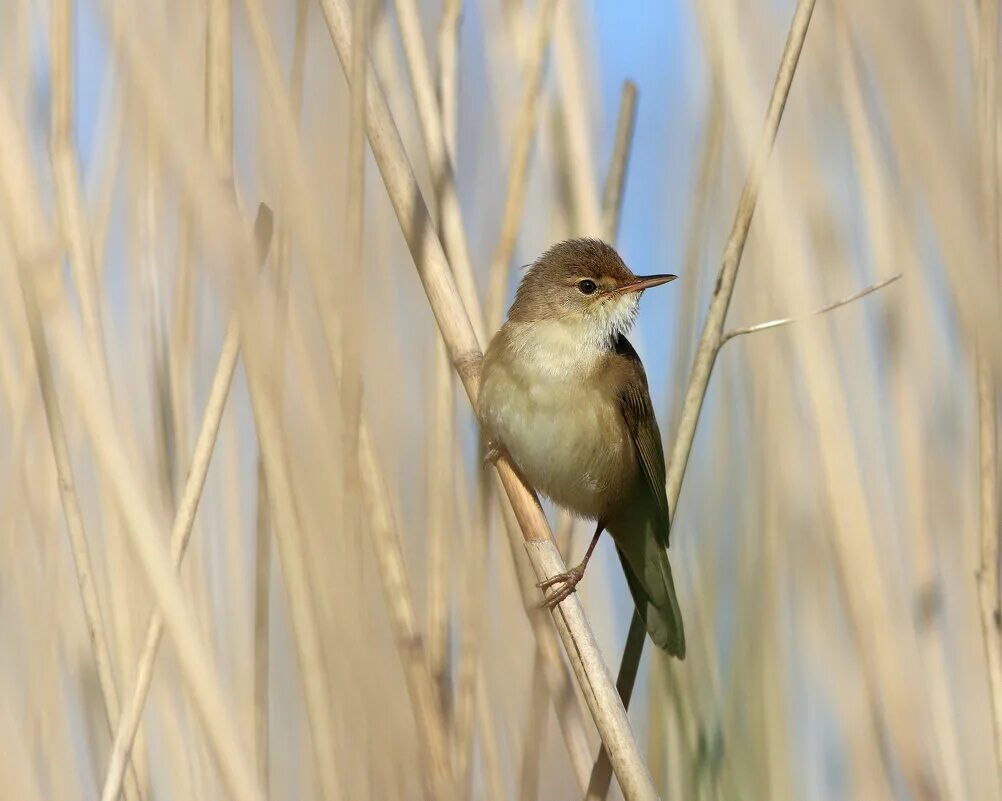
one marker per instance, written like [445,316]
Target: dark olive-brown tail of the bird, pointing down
[649,574]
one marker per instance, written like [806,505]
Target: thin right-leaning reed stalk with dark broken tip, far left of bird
[181,532]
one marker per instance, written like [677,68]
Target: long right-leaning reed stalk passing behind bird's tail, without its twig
[713,331]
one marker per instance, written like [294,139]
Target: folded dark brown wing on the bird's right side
[639,414]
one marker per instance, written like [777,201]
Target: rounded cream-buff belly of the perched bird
[571,443]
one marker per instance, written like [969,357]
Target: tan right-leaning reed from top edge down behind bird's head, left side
[519,167]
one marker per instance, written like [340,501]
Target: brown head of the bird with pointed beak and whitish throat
[583,284]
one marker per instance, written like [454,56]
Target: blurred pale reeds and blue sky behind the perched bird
[349,621]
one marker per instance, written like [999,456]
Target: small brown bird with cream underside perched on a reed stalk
[565,395]
